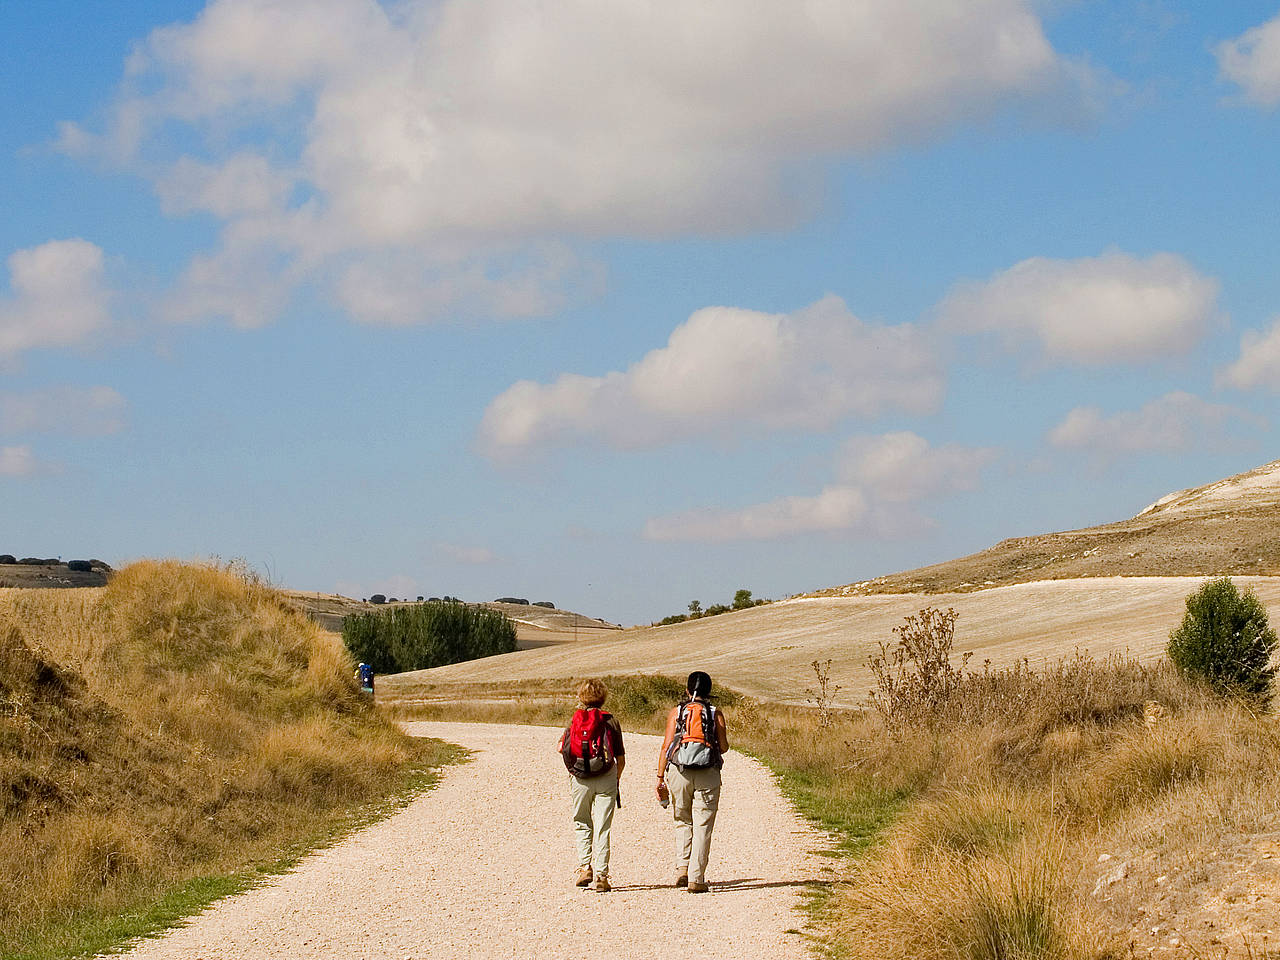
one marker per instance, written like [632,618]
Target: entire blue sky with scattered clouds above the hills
[623,305]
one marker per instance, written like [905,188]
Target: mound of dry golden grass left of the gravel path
[180,723]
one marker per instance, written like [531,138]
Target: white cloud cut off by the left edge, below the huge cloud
[57,299]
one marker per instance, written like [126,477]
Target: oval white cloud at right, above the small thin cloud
[1113,309]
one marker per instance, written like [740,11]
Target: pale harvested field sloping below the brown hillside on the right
[769,651]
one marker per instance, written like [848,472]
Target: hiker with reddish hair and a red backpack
[593,753]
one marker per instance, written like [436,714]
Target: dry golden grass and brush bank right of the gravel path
[1022,779]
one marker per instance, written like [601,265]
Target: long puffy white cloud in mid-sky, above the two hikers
[723,371]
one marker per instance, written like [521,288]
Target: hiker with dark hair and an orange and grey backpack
[689,775]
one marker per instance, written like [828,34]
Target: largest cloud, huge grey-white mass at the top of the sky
[440,129]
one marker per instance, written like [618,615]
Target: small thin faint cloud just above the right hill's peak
[1171,424]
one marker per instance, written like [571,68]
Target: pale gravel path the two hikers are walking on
[482,867]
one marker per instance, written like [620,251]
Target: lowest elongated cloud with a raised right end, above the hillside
[880,479]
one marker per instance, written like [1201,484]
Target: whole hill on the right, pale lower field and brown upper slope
[1114,588]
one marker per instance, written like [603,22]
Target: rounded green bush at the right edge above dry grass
[1226,641]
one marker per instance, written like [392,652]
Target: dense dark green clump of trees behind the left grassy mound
[427,636]
